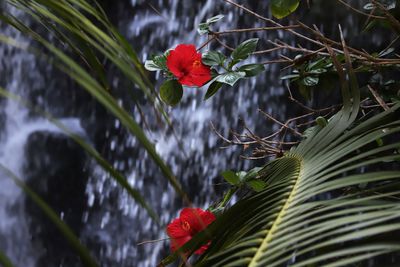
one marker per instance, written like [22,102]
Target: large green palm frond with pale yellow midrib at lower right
[323,204]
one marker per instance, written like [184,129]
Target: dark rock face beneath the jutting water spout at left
[55,169]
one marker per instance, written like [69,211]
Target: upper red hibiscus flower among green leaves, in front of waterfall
[185,64]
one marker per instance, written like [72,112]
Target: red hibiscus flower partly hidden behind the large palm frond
[190,222]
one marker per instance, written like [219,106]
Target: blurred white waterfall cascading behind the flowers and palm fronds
[107,220]
